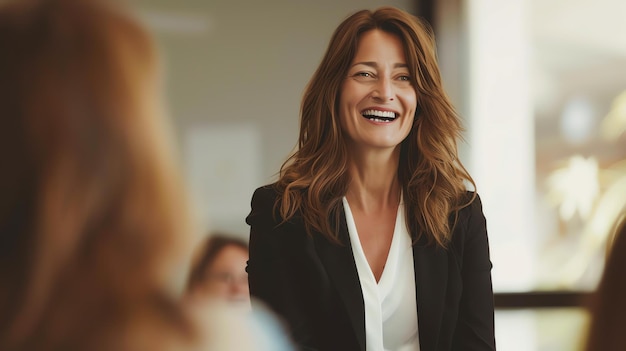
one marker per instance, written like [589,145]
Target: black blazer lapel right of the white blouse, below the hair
[431,276]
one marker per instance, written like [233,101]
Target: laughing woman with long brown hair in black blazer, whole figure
[369,239]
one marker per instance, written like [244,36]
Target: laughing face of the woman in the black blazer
[377,100]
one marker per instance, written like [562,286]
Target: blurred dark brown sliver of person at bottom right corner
[608,307]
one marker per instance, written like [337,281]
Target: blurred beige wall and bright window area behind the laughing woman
[541,88]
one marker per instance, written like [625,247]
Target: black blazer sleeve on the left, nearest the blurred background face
[275,275]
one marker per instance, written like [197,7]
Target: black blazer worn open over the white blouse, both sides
[314,286]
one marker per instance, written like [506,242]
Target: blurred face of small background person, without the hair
[226,277]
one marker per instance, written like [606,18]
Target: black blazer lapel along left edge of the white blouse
[341,268]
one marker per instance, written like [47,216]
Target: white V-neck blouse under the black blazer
[390,304]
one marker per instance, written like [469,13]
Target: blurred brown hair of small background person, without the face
[212,247]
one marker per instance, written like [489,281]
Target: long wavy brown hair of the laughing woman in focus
[315,177]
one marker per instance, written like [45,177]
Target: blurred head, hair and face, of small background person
[219,271]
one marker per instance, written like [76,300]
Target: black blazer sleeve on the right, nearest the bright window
[475,324]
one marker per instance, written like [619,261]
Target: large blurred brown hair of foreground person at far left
[91,209]
